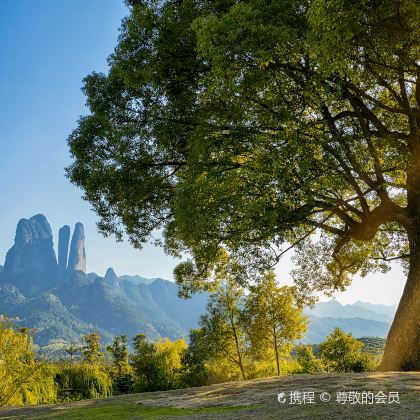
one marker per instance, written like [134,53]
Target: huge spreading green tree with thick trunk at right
[241,127]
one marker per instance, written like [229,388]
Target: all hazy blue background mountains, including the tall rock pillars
[61,301]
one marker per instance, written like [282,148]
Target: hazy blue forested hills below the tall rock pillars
[80,305]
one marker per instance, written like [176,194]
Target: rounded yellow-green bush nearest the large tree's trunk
[340,352]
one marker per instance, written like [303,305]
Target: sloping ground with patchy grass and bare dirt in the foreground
[258,399]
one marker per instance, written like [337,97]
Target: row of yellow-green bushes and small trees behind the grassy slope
[166,364]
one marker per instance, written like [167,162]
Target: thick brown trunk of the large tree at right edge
[402,350]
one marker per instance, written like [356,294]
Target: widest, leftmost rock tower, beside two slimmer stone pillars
[32,255]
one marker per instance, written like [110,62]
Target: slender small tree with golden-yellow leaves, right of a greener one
[272,317]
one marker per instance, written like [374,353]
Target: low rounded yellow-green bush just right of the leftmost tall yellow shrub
[82,380]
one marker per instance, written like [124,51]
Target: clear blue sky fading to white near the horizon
[46,48]
